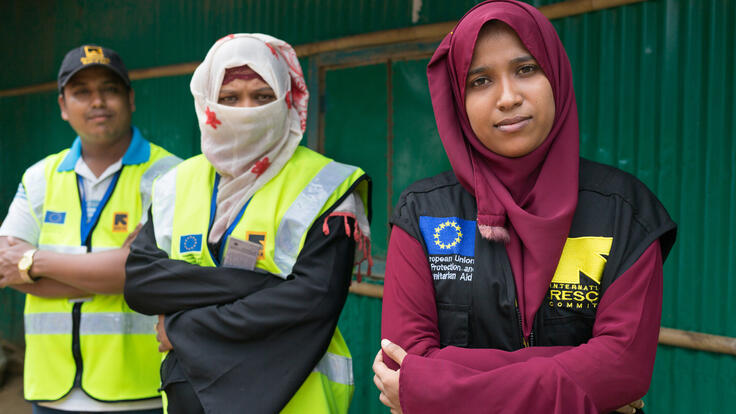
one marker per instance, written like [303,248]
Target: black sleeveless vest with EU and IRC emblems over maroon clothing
[474,285]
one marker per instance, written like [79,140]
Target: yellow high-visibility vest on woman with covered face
[265,220]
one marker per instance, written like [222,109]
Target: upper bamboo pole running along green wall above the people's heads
[423,33]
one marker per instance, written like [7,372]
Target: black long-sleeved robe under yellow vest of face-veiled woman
[244,338]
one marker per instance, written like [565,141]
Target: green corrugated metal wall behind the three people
[656,97]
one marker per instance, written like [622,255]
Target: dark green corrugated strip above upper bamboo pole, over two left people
[163,32]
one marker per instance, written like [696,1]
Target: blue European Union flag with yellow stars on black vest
[448,235]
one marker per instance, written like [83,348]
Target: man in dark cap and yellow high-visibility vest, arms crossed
[64,243]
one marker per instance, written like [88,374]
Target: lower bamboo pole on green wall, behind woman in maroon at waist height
[667,336]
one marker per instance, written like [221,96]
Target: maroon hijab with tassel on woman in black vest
[529,201]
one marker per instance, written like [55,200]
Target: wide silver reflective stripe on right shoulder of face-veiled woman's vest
[303,212]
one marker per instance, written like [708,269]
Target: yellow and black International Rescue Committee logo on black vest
[577,280]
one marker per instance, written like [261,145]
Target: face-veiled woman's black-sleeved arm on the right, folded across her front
[314,293]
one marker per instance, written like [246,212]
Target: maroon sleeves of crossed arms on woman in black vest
[613,368]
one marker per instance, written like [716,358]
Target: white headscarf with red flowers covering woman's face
[248,146]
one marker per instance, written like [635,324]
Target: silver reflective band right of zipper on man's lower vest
[111,323]
